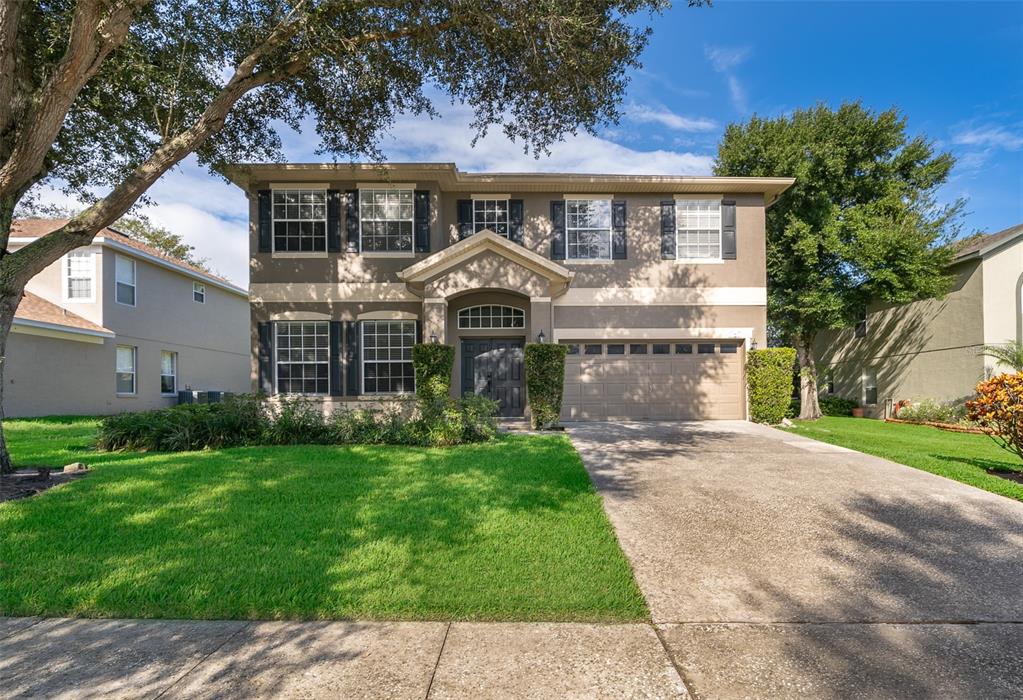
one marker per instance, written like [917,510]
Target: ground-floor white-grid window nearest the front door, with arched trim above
[387,358]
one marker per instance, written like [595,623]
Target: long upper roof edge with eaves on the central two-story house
[453,180]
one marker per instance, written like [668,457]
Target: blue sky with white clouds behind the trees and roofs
[955,70]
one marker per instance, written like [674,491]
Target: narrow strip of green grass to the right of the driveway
[962,457]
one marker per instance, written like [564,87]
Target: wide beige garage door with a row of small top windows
[698,380]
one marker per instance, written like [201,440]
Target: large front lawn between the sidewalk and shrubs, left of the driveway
[511,531]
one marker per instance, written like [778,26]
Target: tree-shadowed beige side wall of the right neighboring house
[928,349]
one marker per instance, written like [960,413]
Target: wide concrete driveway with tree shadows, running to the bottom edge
[775,565]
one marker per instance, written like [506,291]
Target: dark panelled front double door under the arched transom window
[493,368]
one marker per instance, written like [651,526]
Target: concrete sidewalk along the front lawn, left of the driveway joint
[63,659]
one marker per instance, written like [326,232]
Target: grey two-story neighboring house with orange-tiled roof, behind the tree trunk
[119,326]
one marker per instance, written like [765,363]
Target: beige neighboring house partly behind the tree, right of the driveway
[931,348]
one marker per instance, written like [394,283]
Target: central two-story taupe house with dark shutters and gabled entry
[657,285]
